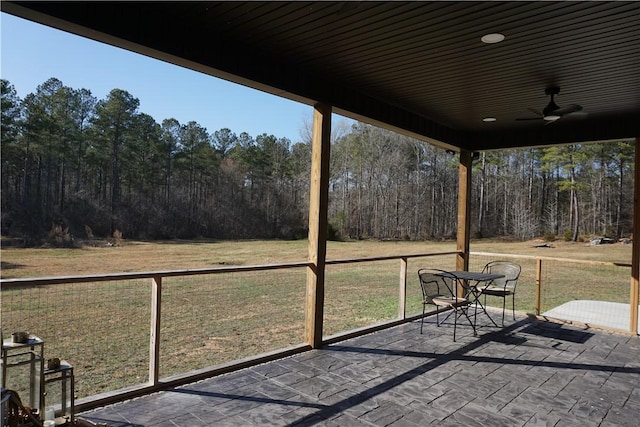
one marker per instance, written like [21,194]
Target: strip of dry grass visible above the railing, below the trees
[170,255]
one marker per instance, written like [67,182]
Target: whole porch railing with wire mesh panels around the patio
[134,333]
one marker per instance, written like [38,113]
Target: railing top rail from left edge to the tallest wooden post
[146,275]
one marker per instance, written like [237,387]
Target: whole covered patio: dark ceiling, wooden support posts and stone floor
[421,69]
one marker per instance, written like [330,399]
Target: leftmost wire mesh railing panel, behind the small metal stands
[103,327]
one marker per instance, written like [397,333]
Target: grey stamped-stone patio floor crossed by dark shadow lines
[529,373]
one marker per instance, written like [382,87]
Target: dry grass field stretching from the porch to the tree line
[102,328]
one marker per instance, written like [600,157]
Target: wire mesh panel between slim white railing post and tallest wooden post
[209,320]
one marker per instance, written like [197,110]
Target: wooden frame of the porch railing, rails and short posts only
[155,383]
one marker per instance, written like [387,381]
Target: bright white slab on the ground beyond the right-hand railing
[602,313]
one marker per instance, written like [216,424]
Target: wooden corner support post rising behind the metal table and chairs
[464,209]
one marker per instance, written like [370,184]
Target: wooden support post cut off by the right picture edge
[634,293]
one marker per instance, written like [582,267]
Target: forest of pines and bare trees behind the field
[76,167]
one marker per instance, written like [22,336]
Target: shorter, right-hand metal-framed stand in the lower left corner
[59,393]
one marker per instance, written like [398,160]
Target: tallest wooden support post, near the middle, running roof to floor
[318,206]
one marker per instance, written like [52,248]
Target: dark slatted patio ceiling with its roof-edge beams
[415,67]
